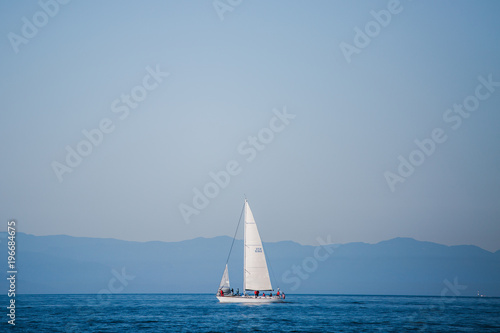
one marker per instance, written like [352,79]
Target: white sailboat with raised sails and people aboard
[255,272]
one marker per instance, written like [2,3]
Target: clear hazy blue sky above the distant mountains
[323,173]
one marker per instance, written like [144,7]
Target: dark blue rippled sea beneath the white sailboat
[203,313]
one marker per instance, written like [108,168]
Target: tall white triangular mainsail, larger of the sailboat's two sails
[256,275]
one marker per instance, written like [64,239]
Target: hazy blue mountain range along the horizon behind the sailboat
[400,266]
